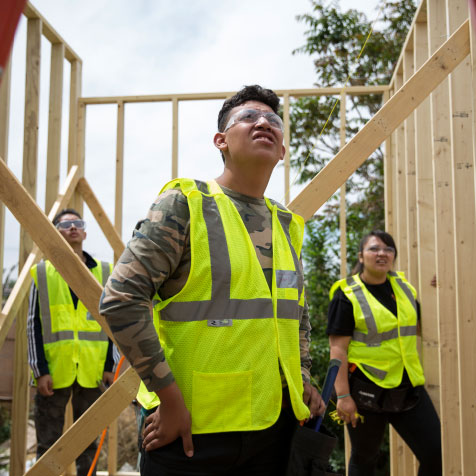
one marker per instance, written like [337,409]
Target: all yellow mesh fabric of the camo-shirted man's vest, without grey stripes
[230,376]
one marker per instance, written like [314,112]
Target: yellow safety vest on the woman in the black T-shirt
[383,345]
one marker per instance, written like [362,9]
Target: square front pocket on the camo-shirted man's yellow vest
[221,401]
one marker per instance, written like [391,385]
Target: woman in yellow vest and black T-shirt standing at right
[372,327]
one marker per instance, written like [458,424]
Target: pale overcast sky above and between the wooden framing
[158,47]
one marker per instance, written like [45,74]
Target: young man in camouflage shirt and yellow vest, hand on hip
[222,266]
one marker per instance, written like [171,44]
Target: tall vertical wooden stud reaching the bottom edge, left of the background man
[29,179]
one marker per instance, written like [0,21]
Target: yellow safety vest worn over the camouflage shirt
[225,335]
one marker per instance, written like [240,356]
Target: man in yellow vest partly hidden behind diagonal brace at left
[68,352]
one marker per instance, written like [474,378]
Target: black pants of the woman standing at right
[418,427]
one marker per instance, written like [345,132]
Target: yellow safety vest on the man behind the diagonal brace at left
[75,344]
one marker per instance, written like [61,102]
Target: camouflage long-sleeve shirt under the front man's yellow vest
[157,259]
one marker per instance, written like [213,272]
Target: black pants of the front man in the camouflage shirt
[248,453]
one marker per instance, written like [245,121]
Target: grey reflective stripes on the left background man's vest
[48,335]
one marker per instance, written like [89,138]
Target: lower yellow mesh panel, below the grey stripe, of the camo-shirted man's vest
[248,348]
